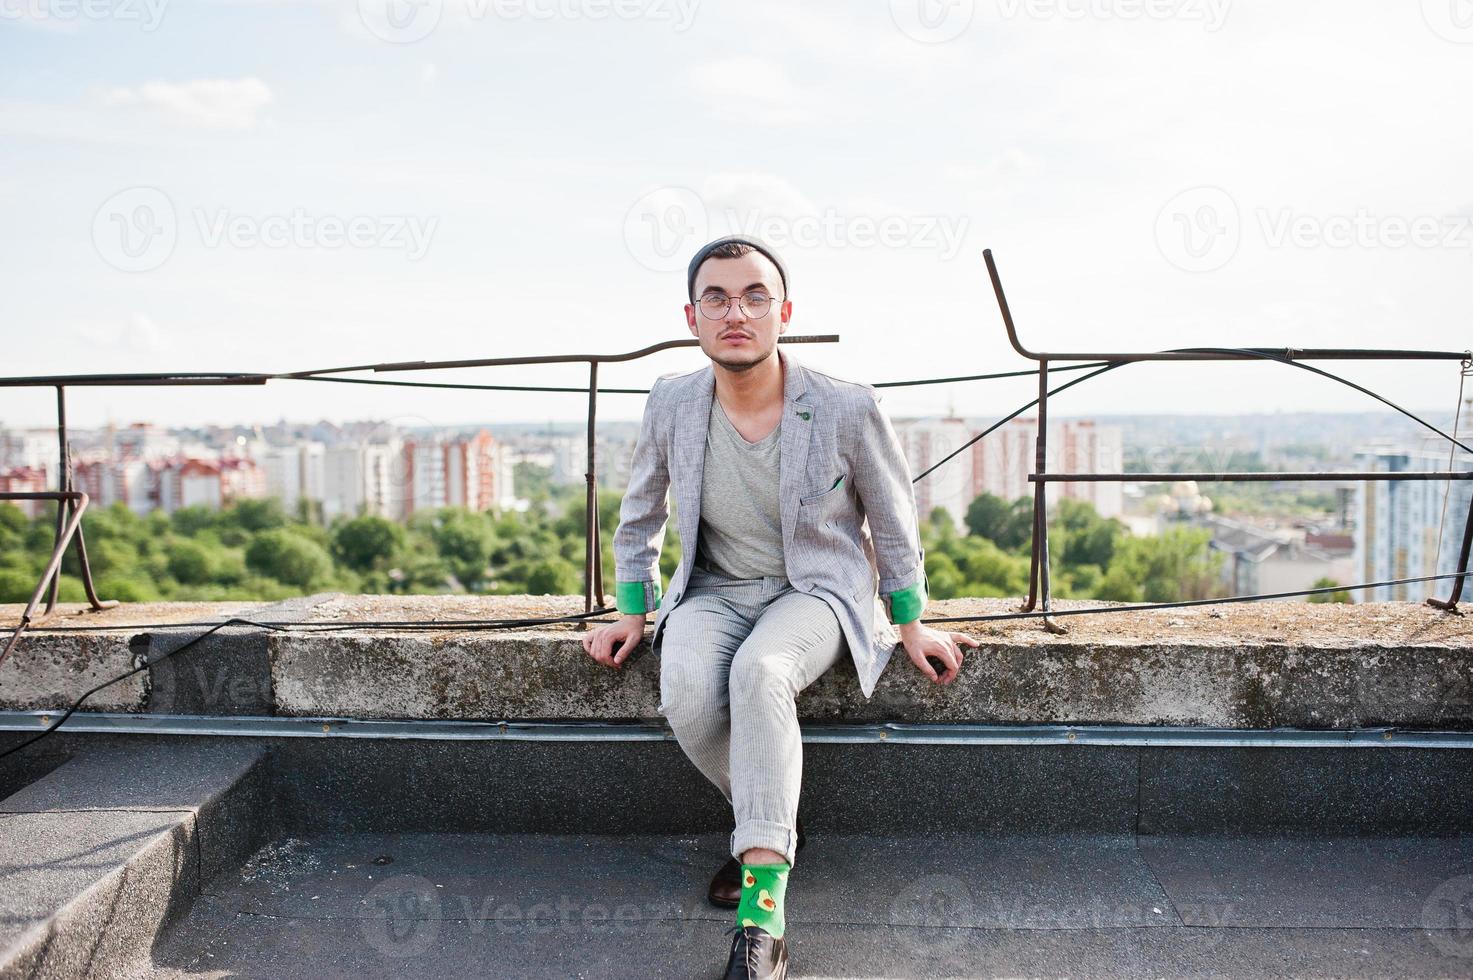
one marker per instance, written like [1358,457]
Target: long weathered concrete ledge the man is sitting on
[1248,665]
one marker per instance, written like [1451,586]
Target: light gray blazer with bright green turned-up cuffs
[851,530]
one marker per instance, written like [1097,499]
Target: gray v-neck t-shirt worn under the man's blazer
[742,524]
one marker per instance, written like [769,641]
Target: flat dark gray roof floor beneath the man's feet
[1079,906]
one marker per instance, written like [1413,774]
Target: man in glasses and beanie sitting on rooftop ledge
[799,539]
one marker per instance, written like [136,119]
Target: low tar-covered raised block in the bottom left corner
[102,854]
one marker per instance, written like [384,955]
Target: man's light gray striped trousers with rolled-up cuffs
[734,657]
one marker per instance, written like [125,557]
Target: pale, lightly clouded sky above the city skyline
[292,185]
